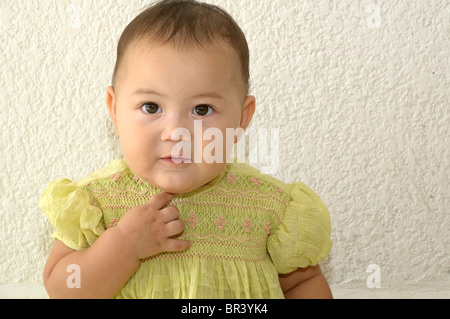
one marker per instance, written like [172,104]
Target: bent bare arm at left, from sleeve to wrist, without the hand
[103,268]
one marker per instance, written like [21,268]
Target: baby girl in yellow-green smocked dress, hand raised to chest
[157,224]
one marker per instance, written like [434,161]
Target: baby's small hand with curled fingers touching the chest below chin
[149,227]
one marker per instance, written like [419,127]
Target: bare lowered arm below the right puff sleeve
[305,283]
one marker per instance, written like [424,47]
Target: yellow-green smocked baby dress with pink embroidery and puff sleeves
[246,228]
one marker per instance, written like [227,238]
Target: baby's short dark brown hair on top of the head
[183,23]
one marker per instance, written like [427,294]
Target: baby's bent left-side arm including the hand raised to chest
[106,266]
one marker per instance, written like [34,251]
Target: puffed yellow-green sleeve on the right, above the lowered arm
[304,237]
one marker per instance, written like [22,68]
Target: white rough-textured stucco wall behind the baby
[358,89]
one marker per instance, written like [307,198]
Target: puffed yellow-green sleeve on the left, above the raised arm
[67,205]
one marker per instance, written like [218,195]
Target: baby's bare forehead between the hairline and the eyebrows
[217,64]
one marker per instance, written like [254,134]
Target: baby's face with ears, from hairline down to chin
[161,90]
